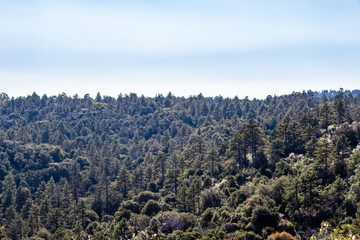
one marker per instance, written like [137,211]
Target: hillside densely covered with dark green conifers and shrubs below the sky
[167,167]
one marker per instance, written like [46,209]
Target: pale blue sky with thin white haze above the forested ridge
[229,47]
